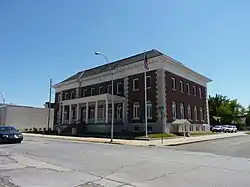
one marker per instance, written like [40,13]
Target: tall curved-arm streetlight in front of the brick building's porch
[112,94]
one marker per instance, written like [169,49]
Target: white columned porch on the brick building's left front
[92,109]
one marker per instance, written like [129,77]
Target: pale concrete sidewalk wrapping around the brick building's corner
[153,142]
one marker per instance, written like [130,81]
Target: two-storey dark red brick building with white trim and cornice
[85,98]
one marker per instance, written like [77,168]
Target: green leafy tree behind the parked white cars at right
[225,110]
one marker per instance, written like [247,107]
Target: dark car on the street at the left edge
[9,134]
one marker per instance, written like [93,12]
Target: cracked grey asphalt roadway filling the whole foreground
[39,162]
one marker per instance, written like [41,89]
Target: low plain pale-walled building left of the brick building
[25,117]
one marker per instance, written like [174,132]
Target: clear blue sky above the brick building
[56,38]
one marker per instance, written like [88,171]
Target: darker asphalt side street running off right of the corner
[234,147]
